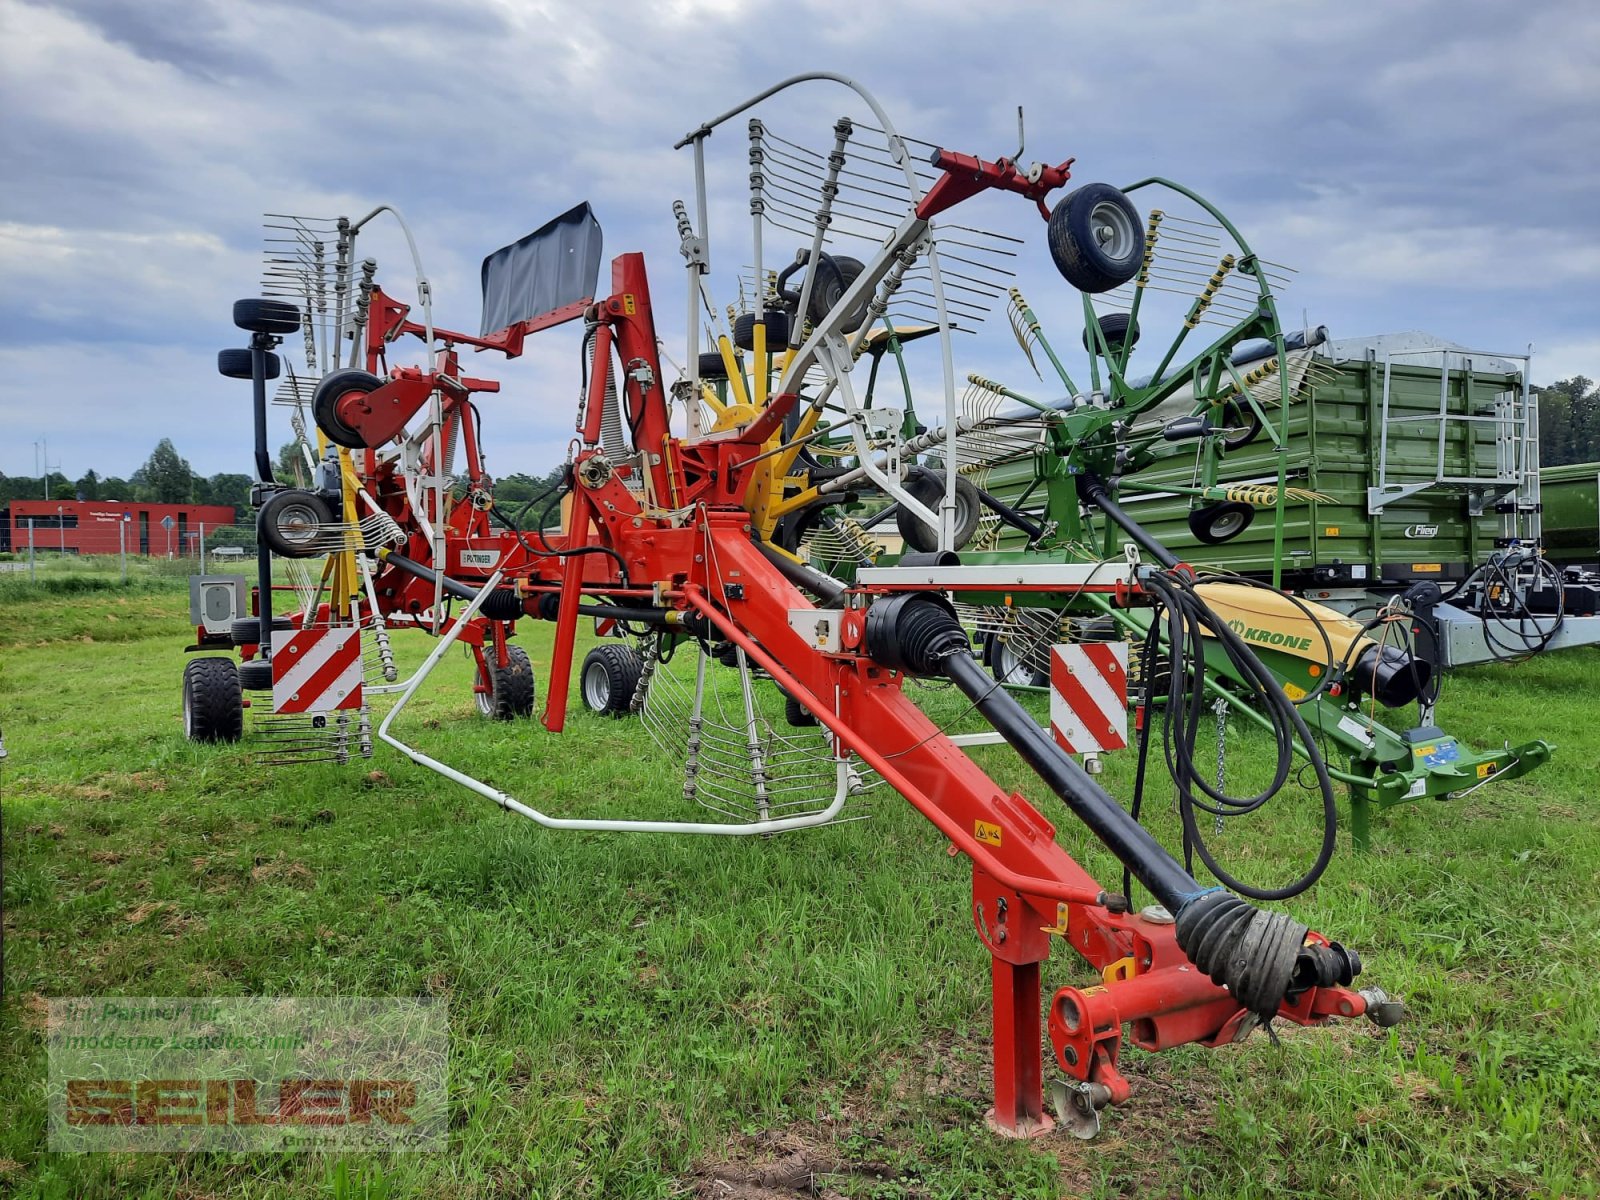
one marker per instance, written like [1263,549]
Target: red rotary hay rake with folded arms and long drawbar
[665,535]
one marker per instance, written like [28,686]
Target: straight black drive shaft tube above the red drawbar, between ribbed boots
[1126,838]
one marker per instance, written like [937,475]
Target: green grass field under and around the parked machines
[807,1015]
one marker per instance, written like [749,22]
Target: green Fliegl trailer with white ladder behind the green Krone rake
[1417,455]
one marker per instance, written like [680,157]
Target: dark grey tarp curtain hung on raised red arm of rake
[554,266]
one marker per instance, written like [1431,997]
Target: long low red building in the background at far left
[92,527]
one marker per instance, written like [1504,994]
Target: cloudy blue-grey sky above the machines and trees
[1423,164]
